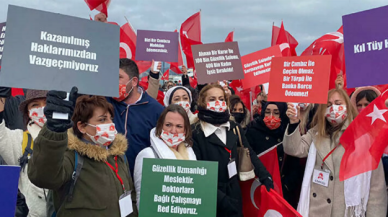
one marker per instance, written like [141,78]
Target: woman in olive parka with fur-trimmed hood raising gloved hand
[103,182]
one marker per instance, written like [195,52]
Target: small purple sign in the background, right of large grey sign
[157,45]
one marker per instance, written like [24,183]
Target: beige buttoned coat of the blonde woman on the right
[330,201]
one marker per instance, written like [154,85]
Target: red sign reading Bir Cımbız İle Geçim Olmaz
[303,79]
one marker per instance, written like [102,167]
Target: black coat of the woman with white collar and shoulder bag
[229,200]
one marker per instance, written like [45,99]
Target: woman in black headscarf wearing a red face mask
[266,131]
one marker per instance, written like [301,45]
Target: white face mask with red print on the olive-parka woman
[105,134]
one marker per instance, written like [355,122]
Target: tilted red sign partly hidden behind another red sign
[257,66]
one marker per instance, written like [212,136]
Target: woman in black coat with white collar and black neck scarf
[214,140]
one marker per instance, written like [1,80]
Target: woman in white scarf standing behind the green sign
[170,139]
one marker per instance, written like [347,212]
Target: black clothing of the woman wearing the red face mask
[261,138]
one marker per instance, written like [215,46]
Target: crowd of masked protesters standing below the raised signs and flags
[83,165]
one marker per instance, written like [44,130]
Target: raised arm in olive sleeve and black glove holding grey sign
[49,166]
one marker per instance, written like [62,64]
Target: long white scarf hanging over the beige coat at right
[356,189]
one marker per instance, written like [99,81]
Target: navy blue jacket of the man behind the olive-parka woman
[142,118]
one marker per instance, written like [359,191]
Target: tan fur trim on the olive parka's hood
[95,152]
